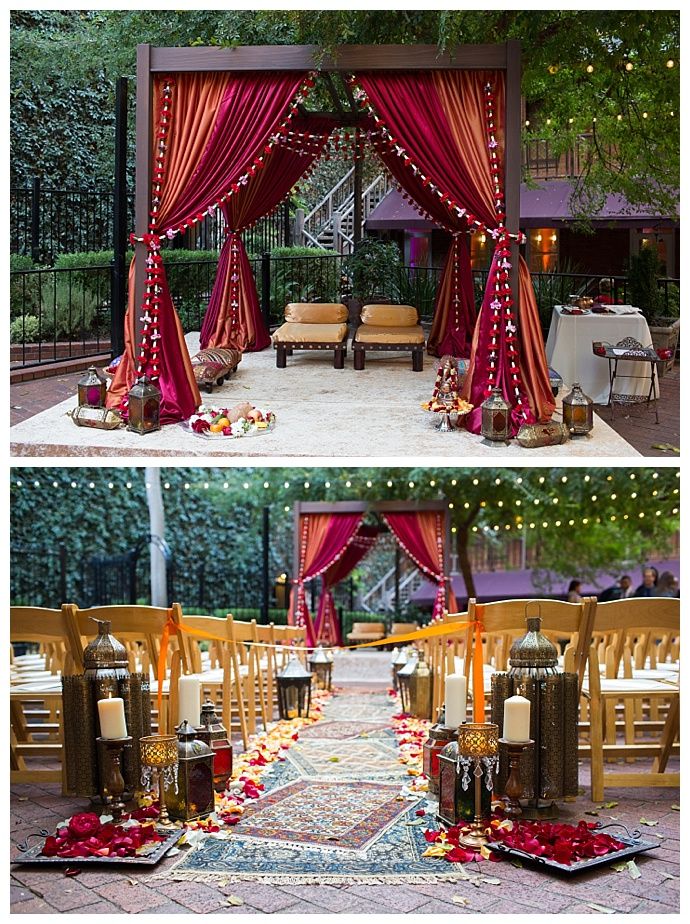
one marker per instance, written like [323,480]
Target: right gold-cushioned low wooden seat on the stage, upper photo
[389,328]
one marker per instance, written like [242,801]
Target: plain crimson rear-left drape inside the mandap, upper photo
[233,318]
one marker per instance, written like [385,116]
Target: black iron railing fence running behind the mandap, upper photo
[63,313]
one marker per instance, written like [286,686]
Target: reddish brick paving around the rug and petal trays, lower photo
[521,890]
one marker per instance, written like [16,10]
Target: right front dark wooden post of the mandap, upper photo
[513,135]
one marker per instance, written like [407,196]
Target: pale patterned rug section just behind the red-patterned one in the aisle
[357,759]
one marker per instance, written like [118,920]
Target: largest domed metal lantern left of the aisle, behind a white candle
[106,674]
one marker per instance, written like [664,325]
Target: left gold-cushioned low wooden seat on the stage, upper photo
[312,326]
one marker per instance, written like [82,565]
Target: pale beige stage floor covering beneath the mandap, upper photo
[322,412]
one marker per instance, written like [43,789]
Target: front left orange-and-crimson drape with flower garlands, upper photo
[212,136]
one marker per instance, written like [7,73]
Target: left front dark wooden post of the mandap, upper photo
[142,200]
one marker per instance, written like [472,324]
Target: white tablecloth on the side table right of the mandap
[569,352]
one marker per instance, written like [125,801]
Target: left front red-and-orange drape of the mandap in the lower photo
[323,538]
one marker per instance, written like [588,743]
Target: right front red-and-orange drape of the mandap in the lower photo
[421,535]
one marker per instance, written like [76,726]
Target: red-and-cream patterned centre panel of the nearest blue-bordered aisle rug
[347,816]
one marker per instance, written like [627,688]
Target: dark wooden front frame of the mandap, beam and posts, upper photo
[348,58]
